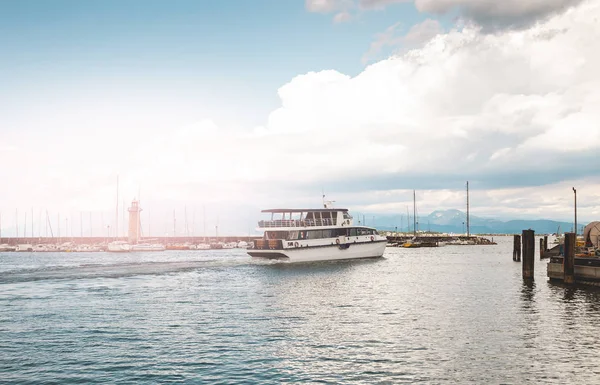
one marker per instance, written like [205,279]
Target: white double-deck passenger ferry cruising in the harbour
[303,235]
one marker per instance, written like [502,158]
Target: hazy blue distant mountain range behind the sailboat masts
[454,221]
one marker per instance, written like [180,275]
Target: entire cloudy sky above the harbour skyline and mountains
[211,110]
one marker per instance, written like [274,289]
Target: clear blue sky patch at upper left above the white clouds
[241,51]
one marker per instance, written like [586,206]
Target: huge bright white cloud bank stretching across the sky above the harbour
[502,107]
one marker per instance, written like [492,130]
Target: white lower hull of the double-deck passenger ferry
[373,249]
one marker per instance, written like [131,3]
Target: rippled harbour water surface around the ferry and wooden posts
[453,314]
